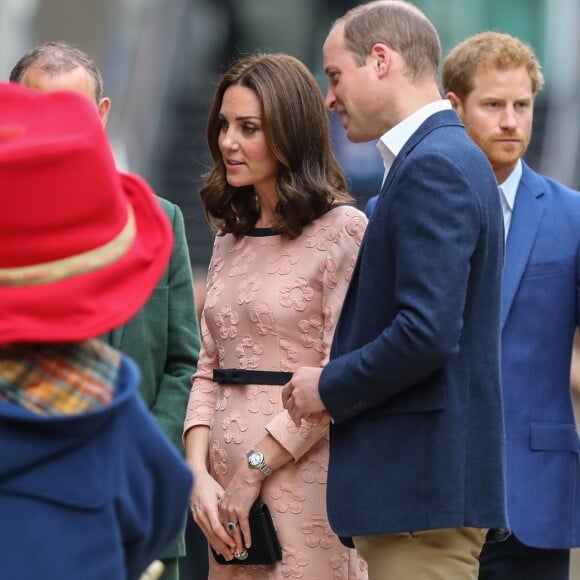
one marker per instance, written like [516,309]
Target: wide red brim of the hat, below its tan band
[87,305]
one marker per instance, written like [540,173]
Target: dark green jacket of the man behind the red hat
[163,339]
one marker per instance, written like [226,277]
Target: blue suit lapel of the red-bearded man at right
[526,219]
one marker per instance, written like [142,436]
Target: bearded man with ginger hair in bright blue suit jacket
[492,81]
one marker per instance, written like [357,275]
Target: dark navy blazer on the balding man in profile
[413,384]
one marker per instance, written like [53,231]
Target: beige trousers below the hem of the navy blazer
[449,554]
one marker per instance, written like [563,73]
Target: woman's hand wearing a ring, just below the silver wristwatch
[235,504]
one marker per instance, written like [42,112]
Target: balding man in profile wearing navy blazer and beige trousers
[416,473]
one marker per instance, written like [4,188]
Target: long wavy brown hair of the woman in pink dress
[296,128]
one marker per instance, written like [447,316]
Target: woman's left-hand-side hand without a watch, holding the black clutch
[205,499]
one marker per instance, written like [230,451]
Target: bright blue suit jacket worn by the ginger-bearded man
[540,312]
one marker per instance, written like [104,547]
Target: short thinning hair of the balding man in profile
[398,24]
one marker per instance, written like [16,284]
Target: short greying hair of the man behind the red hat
[56,58]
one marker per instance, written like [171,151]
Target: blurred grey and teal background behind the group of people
[160,60]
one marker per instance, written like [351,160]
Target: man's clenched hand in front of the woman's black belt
[300,395]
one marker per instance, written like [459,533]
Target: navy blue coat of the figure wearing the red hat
[92,496]
